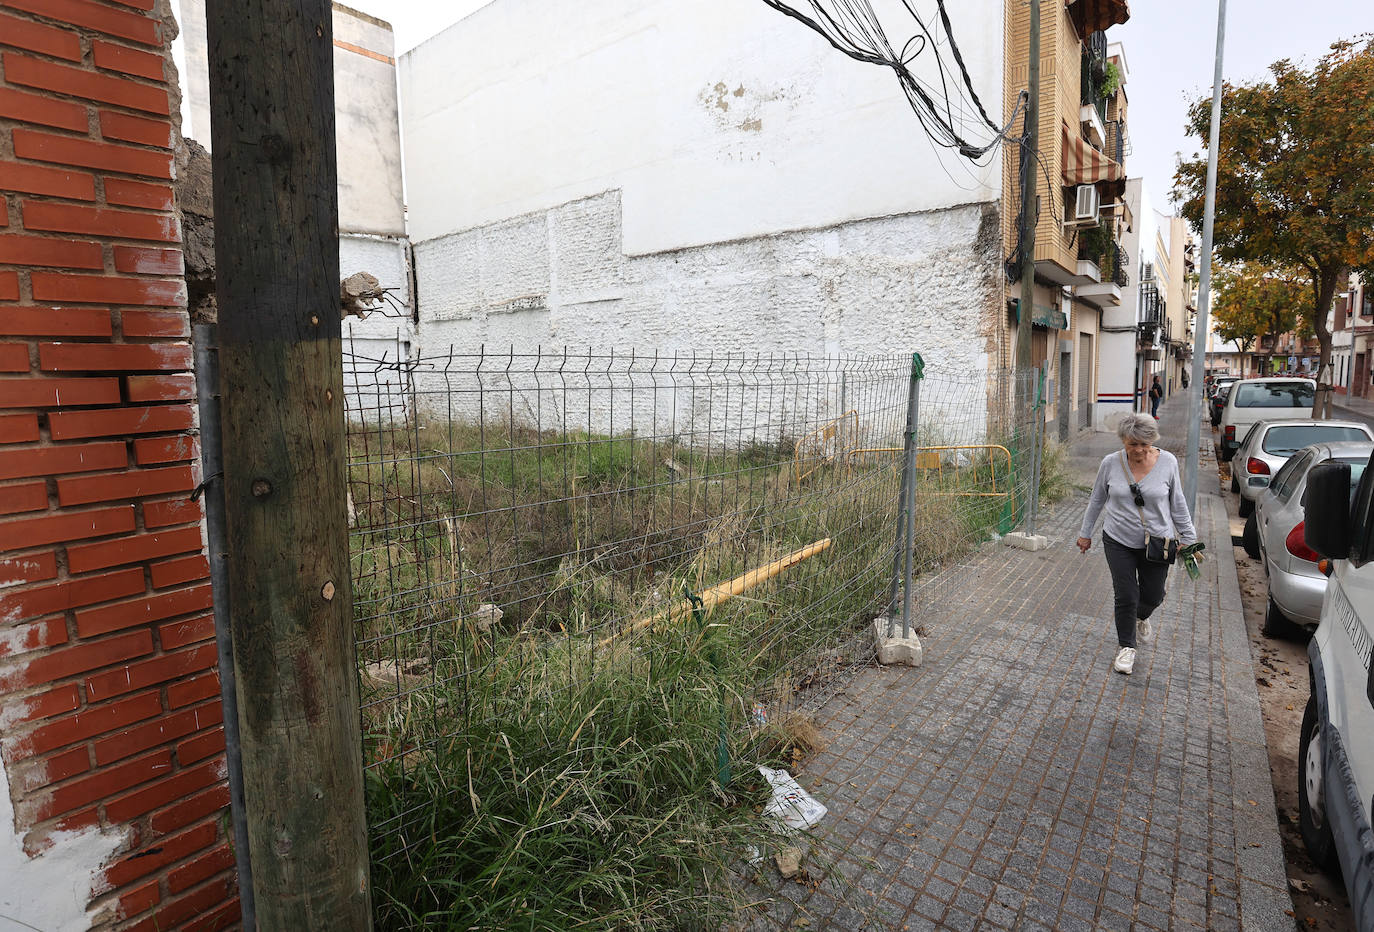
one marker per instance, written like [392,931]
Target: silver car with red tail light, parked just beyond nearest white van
[1274,537]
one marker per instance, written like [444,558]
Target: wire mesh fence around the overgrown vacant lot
[528,531]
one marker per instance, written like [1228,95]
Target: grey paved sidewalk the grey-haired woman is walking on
[1016,783]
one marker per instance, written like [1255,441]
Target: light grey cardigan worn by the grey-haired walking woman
[1166,511]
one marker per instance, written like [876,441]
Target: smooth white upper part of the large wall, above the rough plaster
[719,120]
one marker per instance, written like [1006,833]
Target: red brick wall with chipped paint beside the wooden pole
[109,699]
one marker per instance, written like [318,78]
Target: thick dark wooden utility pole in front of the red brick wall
[291,600]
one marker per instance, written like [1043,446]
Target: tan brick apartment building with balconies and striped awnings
[1081,267]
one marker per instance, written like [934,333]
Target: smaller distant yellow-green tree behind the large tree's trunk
[1252,303]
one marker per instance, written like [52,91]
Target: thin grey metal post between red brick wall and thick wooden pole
[212,468]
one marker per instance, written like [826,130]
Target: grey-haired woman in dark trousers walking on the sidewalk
[1141,494]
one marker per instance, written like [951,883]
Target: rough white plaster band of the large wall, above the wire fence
[924,282]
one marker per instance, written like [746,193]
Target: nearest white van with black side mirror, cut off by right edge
[1336,755]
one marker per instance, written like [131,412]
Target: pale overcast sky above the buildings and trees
[1170,50]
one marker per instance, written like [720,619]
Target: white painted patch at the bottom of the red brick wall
[49,890]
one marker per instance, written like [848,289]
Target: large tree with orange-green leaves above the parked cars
[1295,182]
